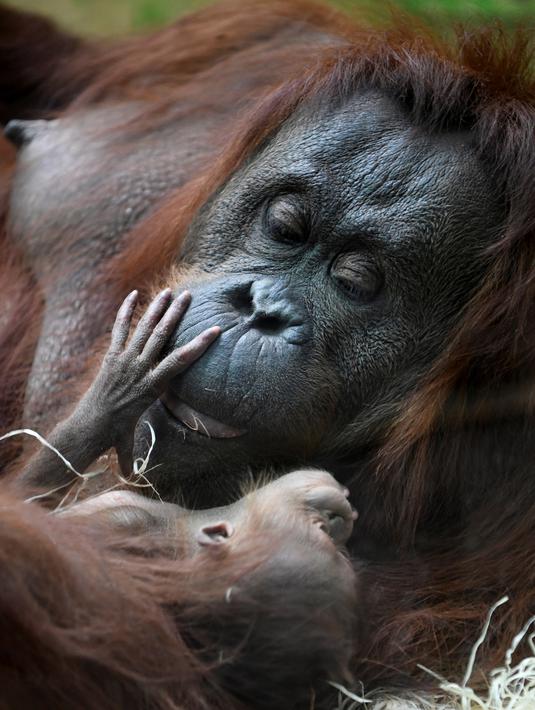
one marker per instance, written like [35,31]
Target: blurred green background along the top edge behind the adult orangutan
[112,17]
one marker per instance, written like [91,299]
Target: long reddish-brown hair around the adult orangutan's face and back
[429,606]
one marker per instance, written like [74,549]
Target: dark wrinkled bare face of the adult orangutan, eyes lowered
[336,263]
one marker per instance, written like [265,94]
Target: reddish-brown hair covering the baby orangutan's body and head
[90,618]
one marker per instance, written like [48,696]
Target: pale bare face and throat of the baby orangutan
[295,529]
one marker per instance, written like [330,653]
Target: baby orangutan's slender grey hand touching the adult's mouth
[131,376]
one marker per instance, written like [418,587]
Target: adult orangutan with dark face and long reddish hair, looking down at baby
[355,210]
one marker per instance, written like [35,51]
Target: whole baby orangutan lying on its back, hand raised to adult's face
[123,601]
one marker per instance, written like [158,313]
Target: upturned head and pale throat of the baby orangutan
[276,597]
